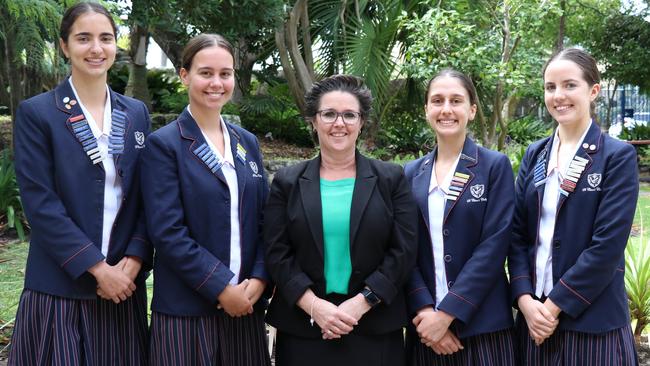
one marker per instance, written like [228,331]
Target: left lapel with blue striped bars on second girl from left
[199,147]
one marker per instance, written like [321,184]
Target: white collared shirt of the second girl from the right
[436,203]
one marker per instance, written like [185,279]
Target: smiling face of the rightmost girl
[567,94]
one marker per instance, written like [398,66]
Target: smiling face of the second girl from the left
[211,78]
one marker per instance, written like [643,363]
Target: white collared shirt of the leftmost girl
[112,182]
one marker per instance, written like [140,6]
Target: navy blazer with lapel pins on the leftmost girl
[63,193]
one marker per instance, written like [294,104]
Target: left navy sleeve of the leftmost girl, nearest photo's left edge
[64,241]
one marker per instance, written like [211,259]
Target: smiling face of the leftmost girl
[90,46]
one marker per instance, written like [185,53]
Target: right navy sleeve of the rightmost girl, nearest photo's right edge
[597,265]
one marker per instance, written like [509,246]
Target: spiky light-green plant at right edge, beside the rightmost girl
[637,283]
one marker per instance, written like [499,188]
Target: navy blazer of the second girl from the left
[188,216]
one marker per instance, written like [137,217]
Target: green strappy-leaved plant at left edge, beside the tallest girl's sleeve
[11,207]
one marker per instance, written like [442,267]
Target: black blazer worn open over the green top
[382,244]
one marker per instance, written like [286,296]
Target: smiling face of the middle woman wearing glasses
[338,136]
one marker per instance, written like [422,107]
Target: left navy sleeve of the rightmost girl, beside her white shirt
[518,265]
